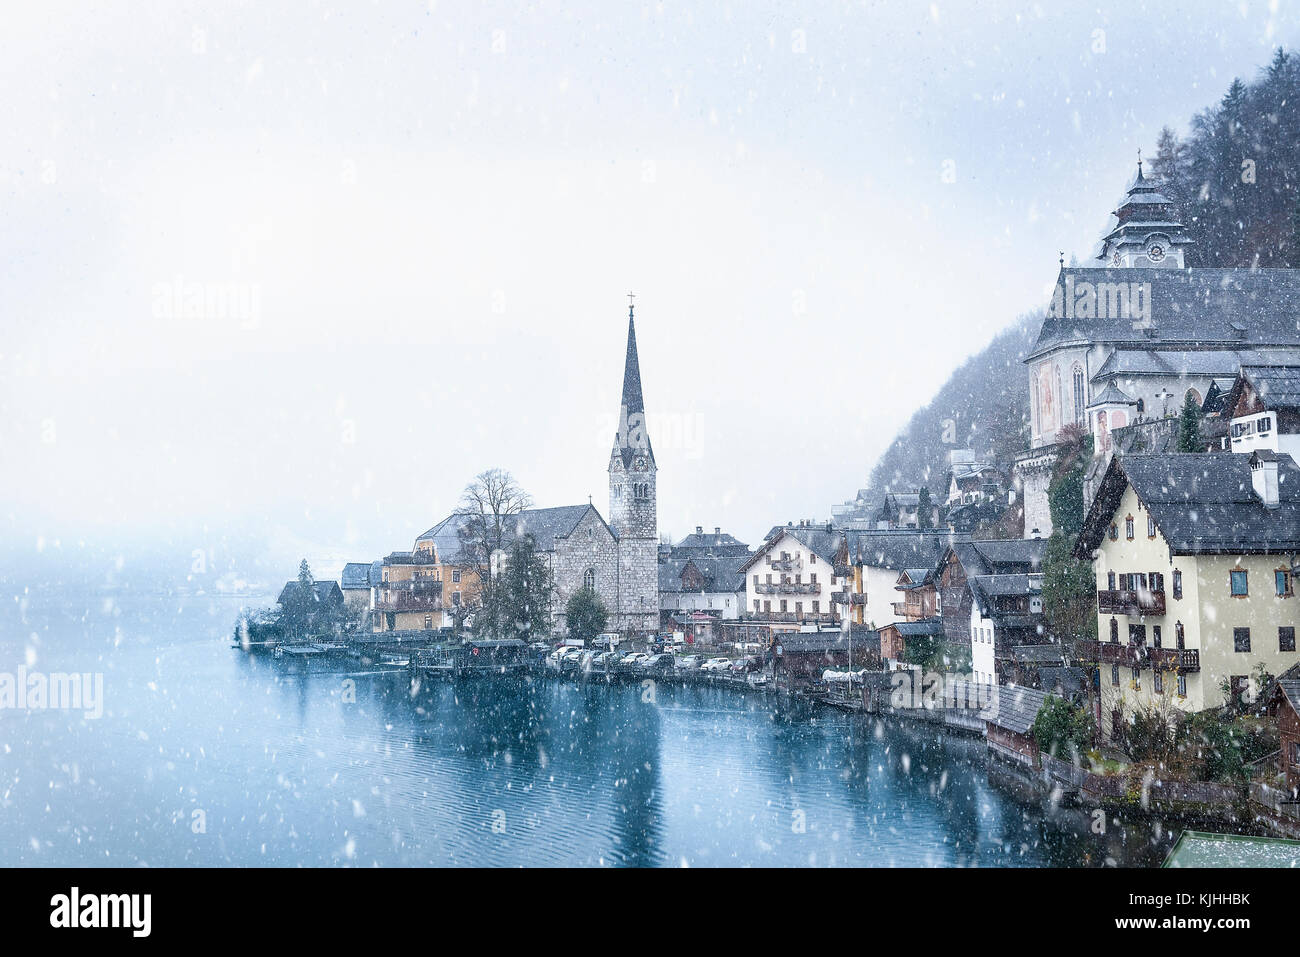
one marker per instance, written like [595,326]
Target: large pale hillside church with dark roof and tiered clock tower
[1128,340]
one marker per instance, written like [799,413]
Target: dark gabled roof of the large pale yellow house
[1204,504]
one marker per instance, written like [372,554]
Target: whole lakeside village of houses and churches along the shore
[1115,609]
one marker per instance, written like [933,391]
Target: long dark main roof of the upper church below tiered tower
[1233,309]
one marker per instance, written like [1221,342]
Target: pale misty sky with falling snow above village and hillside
[411,229]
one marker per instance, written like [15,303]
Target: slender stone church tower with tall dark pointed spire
[632,504]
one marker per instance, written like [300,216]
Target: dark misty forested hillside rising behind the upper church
[1236,180]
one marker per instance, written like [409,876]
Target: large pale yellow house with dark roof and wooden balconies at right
[1194,557]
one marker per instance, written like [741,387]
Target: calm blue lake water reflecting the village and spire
[209,756]
